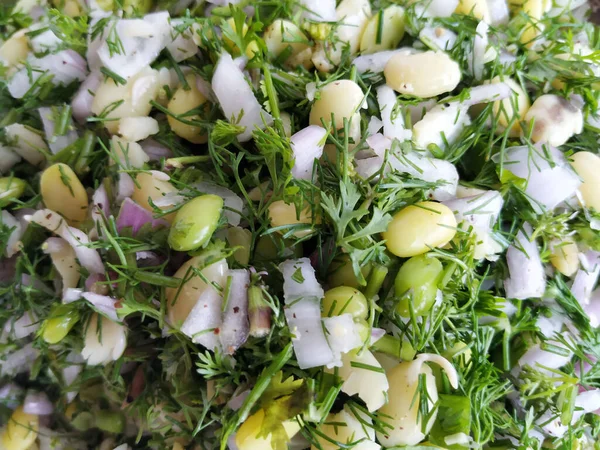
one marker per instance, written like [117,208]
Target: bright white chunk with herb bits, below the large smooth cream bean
[441,124]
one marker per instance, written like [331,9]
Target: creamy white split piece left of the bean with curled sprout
[370,386]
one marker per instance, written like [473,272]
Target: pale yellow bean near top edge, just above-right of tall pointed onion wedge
[283,34]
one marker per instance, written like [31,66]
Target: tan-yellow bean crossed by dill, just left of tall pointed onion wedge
[182,102]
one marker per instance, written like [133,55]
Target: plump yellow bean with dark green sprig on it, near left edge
[63,192]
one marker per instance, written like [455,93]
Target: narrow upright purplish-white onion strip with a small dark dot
[236,327]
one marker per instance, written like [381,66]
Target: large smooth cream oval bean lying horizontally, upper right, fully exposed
[423,75]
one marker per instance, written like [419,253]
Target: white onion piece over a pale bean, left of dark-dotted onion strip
[203,322]
